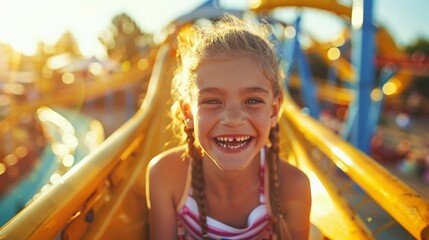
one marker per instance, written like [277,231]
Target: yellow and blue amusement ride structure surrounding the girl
[103,196]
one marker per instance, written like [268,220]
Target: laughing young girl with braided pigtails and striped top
[227,181]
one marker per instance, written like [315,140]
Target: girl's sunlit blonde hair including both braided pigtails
[227,37]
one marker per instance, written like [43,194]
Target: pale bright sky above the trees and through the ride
[25,22]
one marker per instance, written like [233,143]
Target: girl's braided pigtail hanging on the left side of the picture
[197,180]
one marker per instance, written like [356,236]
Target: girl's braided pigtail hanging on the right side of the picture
[280,226]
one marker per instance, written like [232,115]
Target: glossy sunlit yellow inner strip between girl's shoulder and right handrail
[330,211]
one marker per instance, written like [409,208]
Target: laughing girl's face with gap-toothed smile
[233,111]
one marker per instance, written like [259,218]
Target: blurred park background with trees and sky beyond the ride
[73,72]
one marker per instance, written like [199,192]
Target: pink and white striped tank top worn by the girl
[258,222]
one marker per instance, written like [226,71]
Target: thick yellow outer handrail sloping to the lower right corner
[403,203]
